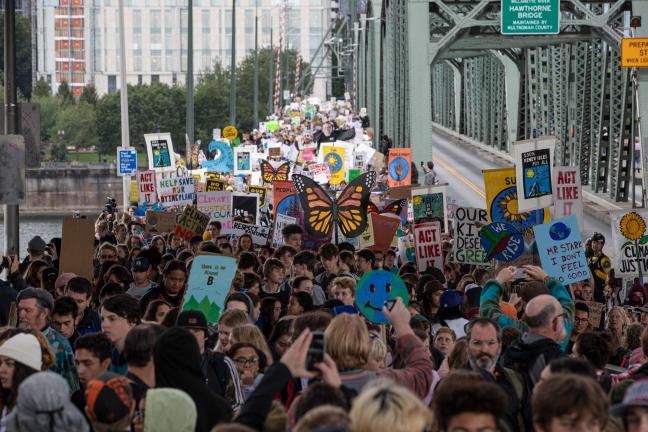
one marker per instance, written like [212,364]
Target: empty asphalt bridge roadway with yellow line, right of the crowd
[460,165]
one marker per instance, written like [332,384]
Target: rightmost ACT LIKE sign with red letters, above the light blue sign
[567,192]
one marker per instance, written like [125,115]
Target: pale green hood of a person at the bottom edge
[169,410]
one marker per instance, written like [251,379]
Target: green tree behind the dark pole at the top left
[23,54]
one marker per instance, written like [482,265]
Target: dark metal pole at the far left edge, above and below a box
[11,211]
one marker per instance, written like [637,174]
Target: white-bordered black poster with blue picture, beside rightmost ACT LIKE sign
[533,169]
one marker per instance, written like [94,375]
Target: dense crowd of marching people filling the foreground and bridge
[473,349]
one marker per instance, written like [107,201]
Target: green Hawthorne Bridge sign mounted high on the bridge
[530,17]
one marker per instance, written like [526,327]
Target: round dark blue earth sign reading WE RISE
[501,242]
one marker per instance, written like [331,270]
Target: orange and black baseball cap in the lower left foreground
[109,398]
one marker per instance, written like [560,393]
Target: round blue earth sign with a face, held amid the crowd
[374,289]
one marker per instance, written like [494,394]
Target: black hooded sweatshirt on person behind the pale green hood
[177,365]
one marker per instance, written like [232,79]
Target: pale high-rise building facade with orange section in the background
[78,40]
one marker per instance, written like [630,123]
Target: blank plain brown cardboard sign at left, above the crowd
[77,247]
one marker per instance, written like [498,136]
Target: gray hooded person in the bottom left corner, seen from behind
[43,405]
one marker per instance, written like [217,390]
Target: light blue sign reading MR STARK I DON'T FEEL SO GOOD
[561,250]
